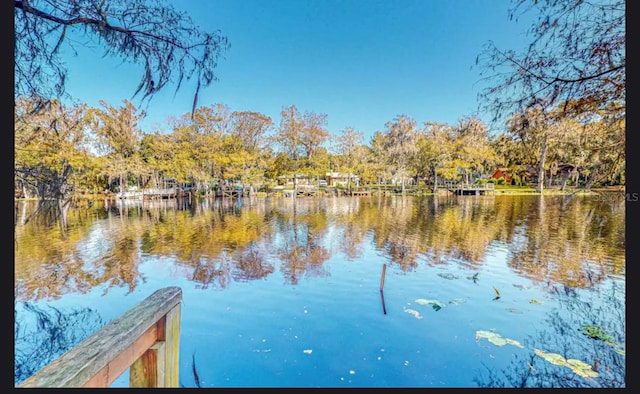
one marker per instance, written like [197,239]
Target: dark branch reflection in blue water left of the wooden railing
[44,333]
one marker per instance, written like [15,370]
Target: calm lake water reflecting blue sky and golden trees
[479,291]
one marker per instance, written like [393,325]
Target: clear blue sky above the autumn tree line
[361,62]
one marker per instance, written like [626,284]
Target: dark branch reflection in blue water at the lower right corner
[606,309]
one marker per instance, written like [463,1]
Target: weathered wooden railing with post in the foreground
[146,339]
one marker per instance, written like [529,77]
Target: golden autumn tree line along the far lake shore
[62,150]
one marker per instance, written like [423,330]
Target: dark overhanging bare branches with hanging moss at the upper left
[165,41]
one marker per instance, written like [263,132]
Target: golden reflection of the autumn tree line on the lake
[573,241]
